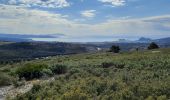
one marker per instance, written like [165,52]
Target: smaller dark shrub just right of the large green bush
[59,69]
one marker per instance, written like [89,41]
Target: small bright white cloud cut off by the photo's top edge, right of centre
[114,3]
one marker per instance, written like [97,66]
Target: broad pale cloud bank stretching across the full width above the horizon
[21,20]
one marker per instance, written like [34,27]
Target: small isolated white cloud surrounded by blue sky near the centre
[88,13]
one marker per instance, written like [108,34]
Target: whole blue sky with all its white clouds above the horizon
[86,20]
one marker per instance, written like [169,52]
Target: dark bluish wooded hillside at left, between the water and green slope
[30,50]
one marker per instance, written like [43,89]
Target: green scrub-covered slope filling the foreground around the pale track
[97,76]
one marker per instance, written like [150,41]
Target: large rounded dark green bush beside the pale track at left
[31,71]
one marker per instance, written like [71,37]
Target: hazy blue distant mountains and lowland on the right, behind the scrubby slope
[126,45]
